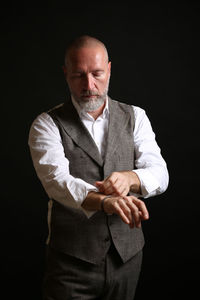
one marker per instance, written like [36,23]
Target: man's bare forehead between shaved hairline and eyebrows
[87,57]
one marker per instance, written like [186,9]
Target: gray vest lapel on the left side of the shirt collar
[72,124]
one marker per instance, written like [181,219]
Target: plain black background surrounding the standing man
[154,49]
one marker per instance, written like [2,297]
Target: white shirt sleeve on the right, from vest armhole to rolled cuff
[150,166]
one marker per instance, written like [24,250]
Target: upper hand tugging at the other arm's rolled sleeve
[119,184]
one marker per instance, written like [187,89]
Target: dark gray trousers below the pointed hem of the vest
[70,278]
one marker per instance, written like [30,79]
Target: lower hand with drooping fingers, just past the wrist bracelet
[130,209]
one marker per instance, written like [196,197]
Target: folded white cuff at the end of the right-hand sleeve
[149,183]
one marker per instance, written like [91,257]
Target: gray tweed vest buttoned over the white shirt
[71,231]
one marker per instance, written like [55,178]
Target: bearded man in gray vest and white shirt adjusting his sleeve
[95,157]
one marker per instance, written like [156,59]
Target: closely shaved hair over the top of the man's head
[84,41]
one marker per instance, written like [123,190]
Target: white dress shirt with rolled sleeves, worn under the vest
[52,166]
